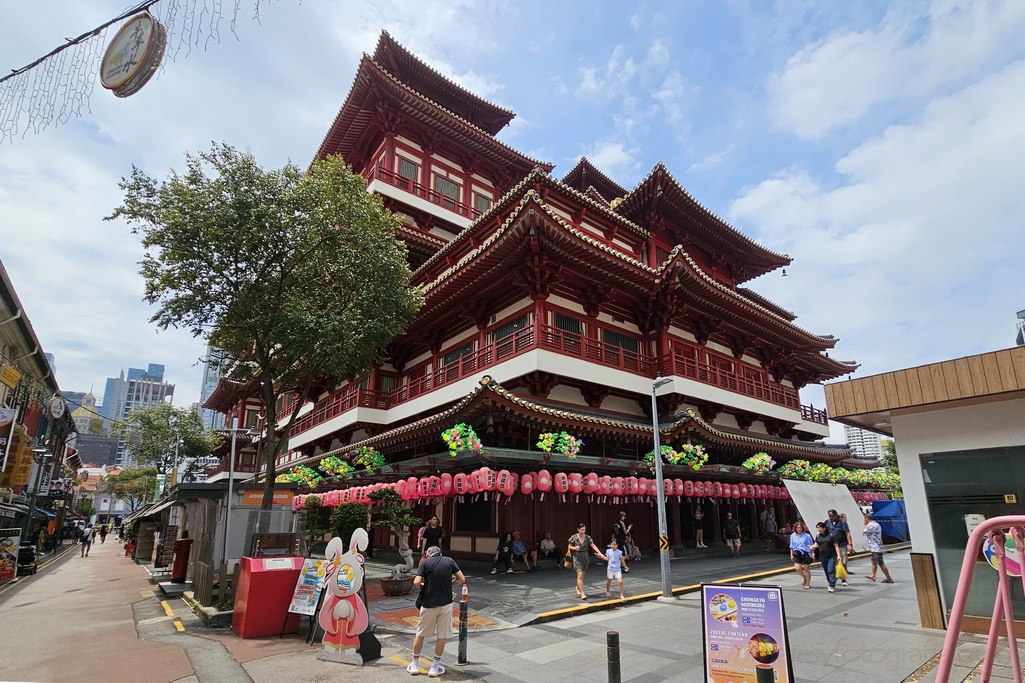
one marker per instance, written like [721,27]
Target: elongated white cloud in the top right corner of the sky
[843,77]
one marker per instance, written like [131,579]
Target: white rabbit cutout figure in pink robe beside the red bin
[344,617]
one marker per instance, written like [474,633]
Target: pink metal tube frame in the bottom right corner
[995,531]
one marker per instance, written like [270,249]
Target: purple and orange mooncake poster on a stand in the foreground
[746,638]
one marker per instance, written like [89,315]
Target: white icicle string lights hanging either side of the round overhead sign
[58,87]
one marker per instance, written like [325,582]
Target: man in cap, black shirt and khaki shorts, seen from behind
[435,579]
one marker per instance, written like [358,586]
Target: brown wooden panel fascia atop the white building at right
[986,375]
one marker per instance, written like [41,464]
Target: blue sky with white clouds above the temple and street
[881,145]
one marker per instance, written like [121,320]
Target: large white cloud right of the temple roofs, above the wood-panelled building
[919,243]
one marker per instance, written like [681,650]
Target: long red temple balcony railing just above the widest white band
[563,343]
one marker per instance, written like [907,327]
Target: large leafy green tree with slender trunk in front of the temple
[297,275]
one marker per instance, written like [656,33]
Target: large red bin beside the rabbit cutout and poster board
[263,596]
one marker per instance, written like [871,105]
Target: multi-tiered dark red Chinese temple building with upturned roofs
[552,305]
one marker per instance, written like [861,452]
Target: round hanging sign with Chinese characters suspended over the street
[134,56]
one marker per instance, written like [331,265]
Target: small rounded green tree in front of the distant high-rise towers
[160,436]
